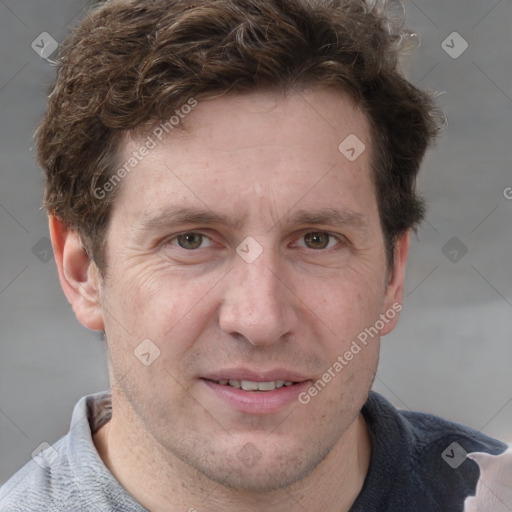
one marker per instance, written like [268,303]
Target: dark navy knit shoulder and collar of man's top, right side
[423,459]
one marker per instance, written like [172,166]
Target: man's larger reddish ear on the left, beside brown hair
[78,274]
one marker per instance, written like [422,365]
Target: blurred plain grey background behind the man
[451,353]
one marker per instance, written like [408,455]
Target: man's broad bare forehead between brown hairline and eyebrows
[257,153]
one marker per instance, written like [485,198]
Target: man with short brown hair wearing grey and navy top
[231,191]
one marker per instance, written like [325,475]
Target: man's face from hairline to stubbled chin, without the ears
[248,249]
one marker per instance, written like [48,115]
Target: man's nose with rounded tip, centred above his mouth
[258,304]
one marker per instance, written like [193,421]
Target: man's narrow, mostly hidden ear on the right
[395,289]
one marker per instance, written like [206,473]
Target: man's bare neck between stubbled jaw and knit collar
[160,481]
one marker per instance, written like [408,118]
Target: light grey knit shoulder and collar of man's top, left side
[70,475]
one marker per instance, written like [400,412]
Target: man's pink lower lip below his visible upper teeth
[257,402]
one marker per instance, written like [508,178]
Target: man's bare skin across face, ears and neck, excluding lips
[257,159]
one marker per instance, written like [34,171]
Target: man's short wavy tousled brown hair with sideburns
[134,62]
